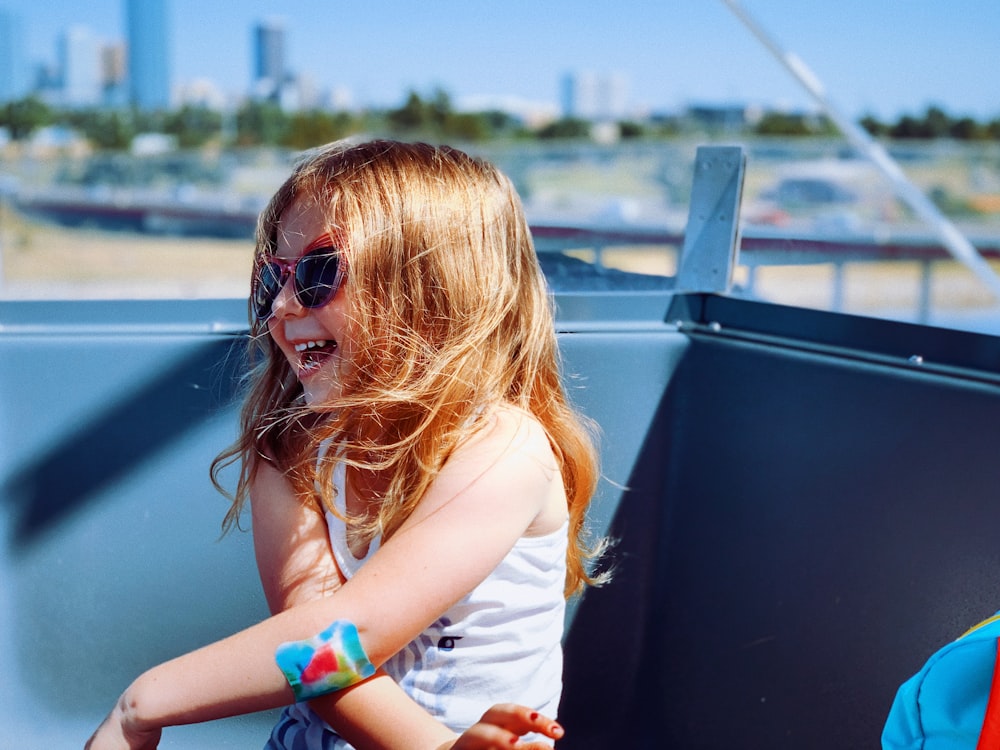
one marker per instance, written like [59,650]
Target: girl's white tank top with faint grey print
[500,643]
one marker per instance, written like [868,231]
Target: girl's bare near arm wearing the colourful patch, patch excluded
[482,502]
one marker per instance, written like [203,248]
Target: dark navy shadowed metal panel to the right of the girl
[805,525]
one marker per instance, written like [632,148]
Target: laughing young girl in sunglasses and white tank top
[416,478]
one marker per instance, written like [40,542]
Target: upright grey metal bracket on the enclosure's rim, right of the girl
[711,240]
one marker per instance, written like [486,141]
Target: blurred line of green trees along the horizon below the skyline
[432,117]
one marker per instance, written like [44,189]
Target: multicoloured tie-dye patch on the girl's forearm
[332,660]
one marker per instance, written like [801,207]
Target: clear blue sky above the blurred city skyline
[887,57]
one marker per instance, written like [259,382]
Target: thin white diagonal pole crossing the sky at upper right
[953,240]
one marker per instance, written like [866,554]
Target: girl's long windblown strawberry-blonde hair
[450,317]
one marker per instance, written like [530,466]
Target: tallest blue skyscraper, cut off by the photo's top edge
[148,53]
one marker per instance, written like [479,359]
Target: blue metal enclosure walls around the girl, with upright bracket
[803,504]
